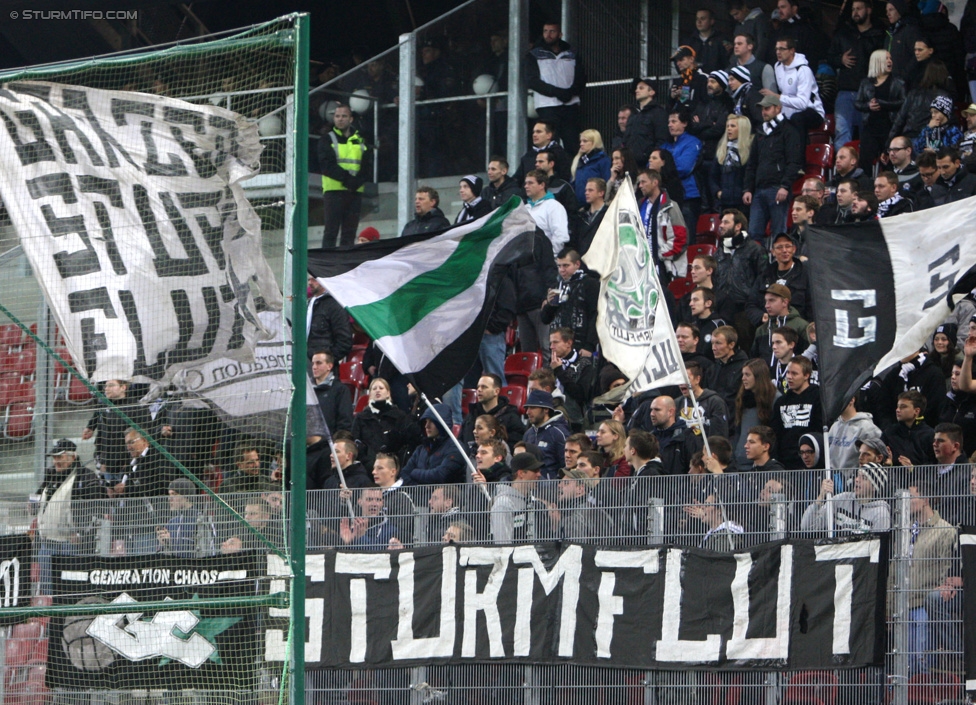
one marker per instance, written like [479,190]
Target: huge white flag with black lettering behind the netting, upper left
[131,212]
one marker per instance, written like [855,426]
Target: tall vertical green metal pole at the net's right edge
[299,270]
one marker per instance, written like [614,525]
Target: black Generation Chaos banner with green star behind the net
[204,648]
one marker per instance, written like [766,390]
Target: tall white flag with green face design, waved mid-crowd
[632,315]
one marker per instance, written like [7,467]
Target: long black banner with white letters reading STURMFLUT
[802,604]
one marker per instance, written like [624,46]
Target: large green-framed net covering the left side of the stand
[145,371]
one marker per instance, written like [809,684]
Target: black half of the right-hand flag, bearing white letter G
[852,284]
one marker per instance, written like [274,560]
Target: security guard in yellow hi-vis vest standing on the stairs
[341,152]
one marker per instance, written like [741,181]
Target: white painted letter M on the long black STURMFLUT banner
[570,567]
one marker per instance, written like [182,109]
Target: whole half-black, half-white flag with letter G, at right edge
[881,288]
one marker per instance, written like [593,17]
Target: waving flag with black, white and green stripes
[425,299]
